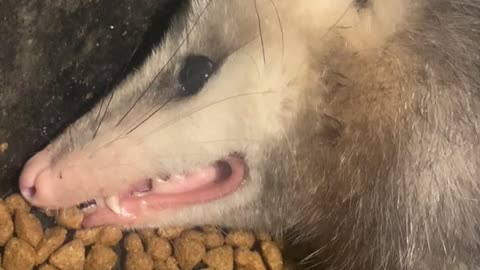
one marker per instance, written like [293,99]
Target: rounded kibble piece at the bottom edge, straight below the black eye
[189,252]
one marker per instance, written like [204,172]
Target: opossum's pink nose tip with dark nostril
[31,184]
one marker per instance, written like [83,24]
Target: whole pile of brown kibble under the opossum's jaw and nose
[26,242]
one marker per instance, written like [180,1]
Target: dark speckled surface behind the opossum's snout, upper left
[57,58]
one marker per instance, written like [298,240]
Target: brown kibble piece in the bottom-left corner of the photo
[18,254]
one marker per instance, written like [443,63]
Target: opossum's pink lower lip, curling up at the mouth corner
[135,210]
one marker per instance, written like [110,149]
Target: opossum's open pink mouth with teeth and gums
[151,196]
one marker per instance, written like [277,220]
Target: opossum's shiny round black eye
[195,72]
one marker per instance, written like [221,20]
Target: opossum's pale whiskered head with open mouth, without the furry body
[190,136]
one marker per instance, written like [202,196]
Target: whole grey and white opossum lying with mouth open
[350,126]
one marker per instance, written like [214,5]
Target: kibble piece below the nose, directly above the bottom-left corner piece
[28,228]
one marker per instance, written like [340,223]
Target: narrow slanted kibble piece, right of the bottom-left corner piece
[51,241]
